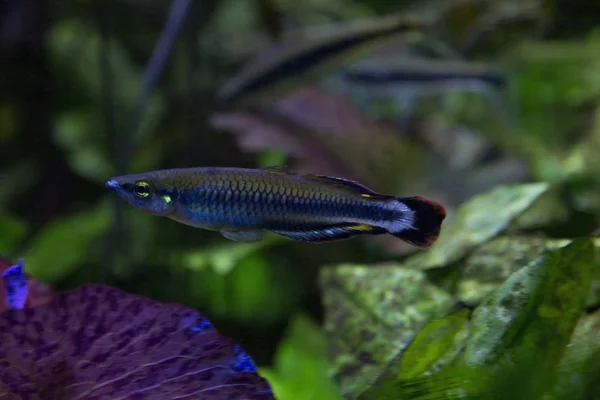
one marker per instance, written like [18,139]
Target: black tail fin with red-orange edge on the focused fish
[426,221]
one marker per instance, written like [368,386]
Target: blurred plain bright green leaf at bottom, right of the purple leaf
[301,370]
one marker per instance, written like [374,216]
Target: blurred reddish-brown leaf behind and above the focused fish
[326,133]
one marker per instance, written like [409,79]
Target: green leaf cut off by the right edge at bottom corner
[579,369]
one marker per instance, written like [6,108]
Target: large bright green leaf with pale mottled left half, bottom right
[518,335]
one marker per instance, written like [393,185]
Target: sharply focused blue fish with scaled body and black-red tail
[242,203]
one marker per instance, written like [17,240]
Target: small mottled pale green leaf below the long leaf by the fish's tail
[484,270]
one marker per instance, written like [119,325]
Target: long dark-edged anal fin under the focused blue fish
[330,233]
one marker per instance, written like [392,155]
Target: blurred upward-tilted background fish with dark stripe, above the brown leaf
[285,65]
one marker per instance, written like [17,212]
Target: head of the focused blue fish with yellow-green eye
[150,191]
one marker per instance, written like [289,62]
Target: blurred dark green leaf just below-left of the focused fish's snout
[64,243]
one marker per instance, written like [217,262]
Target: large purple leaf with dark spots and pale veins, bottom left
[98,342]
